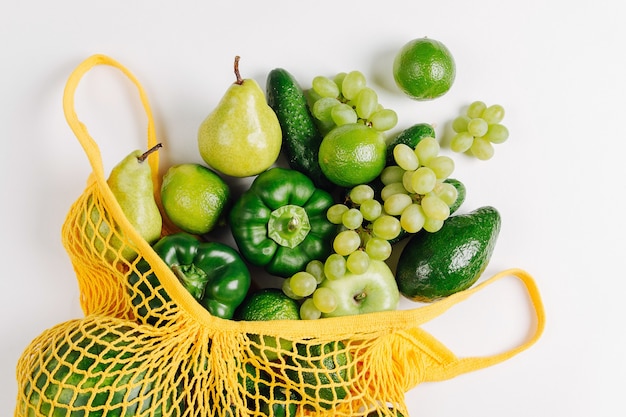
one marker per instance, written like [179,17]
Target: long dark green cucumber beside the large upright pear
[301,136]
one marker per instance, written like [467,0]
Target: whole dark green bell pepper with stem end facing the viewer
[280,222]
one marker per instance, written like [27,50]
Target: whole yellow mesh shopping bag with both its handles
[145,347]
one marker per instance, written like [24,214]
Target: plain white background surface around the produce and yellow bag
[558,68]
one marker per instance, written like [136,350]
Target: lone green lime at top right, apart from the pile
[424,69]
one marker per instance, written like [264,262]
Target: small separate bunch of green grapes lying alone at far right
[478,129]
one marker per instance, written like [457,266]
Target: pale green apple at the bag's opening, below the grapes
[374,290]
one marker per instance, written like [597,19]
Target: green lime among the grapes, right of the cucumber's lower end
[352,154]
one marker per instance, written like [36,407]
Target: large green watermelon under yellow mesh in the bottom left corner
[98,367]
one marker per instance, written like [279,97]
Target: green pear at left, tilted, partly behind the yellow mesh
[131,183]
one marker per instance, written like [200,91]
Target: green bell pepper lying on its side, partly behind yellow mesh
[212,272]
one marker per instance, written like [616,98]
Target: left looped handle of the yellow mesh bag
[80,130]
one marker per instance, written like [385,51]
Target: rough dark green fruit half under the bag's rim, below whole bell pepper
[268,304]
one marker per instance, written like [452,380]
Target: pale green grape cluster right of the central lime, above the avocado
[415,189]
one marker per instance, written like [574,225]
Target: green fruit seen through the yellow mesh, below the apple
[325,371]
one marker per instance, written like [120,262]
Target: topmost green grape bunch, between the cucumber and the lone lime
[347,99]
